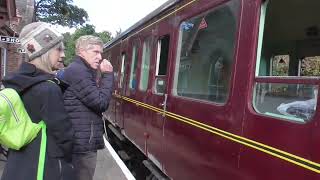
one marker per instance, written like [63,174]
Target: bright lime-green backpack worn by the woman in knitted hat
[16,127]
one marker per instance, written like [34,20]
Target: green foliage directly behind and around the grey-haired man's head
[70,39]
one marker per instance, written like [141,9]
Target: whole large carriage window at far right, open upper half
[289,44]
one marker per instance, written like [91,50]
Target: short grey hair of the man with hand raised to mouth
[85,42]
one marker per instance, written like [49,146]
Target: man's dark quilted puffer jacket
[85,101]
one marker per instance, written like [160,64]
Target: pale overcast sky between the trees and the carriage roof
[111,15]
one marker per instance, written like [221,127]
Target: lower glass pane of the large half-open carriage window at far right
[285,101]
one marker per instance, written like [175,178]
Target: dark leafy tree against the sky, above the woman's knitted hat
[61,12]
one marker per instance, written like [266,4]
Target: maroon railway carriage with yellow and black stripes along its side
[221,89]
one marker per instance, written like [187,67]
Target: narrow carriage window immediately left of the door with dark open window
[145,64]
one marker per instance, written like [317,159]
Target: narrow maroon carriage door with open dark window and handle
[155,125]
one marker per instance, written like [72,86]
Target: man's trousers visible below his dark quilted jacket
[84,165]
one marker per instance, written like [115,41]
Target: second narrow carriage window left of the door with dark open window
[134,64]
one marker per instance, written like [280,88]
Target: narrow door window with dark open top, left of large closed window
[162,61]
